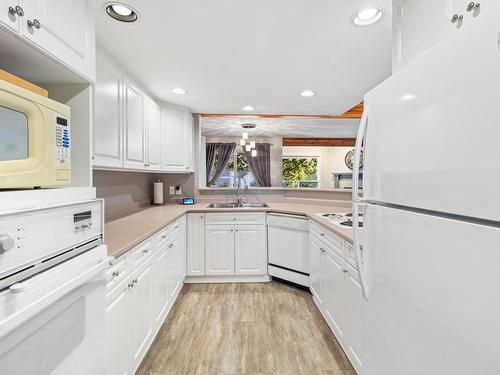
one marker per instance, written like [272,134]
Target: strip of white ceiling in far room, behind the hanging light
[308,128]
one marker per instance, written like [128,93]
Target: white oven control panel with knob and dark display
[28,238]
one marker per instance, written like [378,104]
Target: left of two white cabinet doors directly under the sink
[219,250]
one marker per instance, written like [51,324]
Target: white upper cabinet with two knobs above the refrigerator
[418,25]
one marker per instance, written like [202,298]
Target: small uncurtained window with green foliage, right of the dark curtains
[301,171]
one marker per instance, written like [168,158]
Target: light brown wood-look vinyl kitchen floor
[265,328]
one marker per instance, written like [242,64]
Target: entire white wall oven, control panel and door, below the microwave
[52,291]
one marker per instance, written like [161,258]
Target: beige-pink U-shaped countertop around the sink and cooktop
[122,234]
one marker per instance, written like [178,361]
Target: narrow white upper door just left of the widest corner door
[153,140]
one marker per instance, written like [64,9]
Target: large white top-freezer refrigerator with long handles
[429,250]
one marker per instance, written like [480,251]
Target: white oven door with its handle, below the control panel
[52,323]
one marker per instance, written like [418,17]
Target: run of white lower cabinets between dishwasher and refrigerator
[337,292]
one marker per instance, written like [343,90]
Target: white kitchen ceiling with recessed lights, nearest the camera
[232,53]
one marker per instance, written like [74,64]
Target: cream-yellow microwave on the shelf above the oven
[35,140]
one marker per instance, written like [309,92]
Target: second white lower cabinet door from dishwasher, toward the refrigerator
[333,272]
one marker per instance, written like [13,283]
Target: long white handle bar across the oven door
[17,319]
